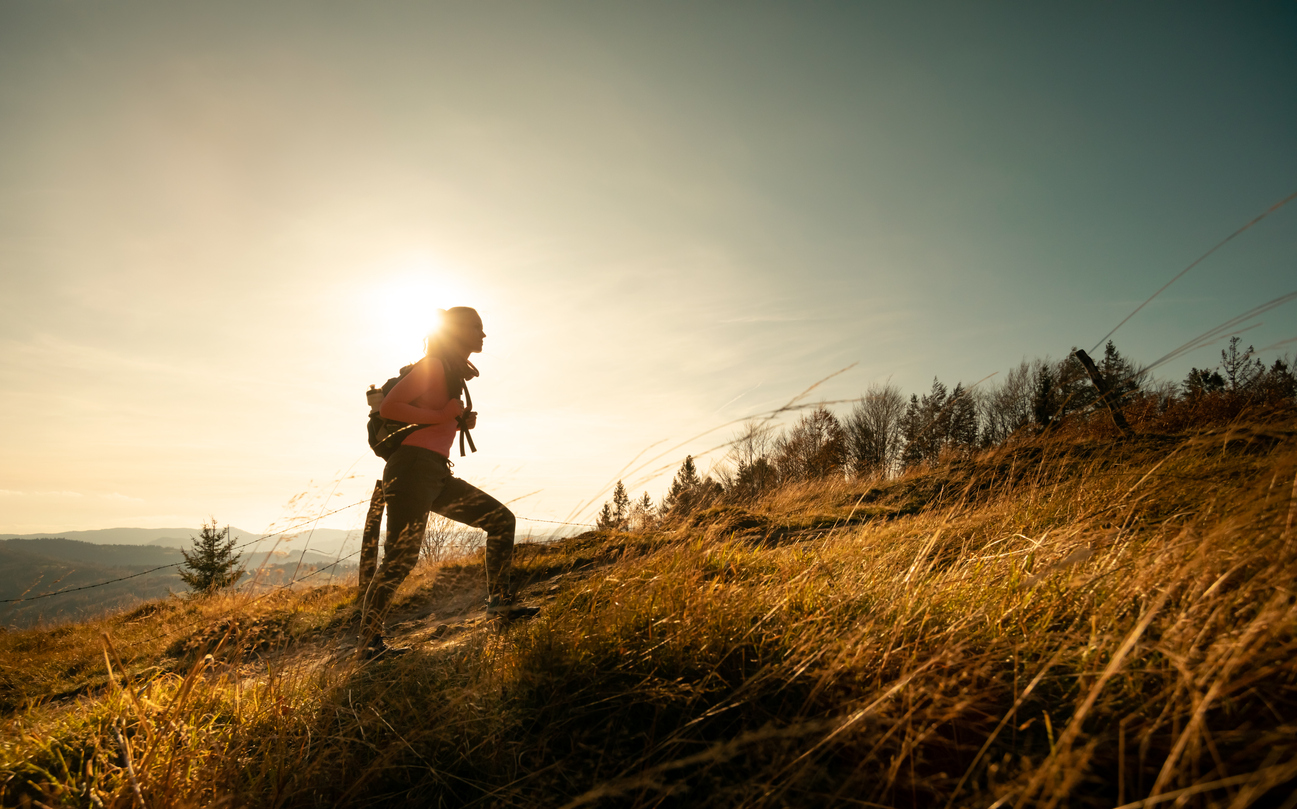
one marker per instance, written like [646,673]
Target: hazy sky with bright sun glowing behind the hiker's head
[220,224]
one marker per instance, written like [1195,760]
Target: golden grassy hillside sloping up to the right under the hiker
[1056,623]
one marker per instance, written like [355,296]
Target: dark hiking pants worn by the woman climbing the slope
[416,483]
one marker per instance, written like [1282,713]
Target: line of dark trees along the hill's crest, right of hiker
[885,434]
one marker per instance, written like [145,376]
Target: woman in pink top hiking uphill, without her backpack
[418,480]
